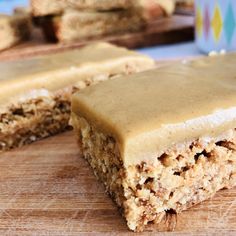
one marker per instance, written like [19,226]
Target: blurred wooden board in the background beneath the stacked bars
[177,28]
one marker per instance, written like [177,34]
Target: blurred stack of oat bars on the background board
[72,20]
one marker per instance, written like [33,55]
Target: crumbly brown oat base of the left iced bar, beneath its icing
[34,119]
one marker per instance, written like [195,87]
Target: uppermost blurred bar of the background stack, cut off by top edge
[55,7]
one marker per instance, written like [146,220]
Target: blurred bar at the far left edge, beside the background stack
[14,29]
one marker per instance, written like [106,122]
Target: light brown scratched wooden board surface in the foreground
[47,188]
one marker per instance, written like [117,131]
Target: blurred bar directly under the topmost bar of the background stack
[78,25]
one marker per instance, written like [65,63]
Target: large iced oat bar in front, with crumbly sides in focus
[161,140]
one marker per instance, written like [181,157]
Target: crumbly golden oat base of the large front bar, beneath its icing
[179,178]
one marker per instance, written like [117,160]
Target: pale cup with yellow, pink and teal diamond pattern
[215,25]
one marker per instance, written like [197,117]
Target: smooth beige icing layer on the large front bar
[153,110]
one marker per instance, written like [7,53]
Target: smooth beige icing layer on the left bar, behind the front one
[57,71]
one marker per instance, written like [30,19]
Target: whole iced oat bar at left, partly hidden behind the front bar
[35,92]
